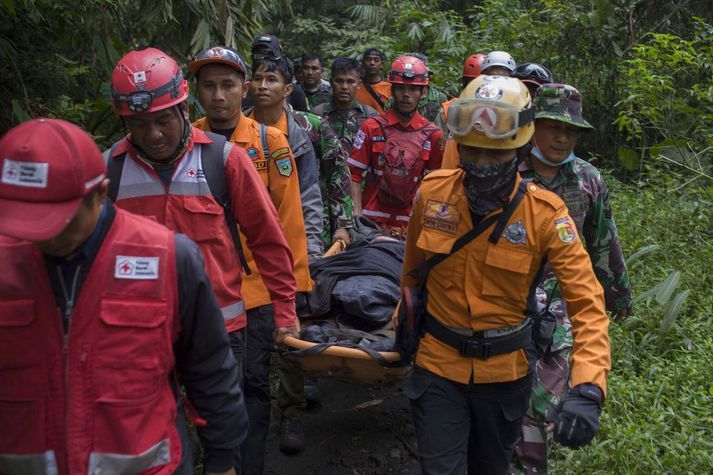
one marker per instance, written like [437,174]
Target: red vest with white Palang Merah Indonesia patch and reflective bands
[97,401]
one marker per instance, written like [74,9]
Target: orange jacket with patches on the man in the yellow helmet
[485,286]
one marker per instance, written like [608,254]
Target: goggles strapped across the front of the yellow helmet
[492,119]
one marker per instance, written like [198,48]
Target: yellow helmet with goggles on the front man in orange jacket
[492,112]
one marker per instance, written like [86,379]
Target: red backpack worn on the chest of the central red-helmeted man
[403,157]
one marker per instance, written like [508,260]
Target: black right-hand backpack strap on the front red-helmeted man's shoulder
[213,155]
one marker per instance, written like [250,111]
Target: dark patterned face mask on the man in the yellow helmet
[488,188]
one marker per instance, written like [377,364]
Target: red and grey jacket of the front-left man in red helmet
[187,206]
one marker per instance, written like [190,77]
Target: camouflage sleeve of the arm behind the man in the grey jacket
[334,176]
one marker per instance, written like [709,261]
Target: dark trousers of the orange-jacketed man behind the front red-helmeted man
[259,343]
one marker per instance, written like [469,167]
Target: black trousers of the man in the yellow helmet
[463,427]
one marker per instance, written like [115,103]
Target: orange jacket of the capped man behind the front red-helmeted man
[284,190]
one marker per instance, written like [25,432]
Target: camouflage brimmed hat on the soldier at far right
[560,102]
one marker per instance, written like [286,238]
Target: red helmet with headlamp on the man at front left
[147,81]
